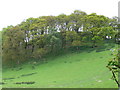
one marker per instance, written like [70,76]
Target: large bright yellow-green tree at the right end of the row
[97,26]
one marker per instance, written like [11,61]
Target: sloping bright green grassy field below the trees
[86,69]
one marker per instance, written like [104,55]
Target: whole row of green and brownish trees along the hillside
[36,37]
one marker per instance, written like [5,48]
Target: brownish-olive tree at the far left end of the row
[13,50]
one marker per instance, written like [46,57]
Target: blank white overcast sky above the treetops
[13,12]
